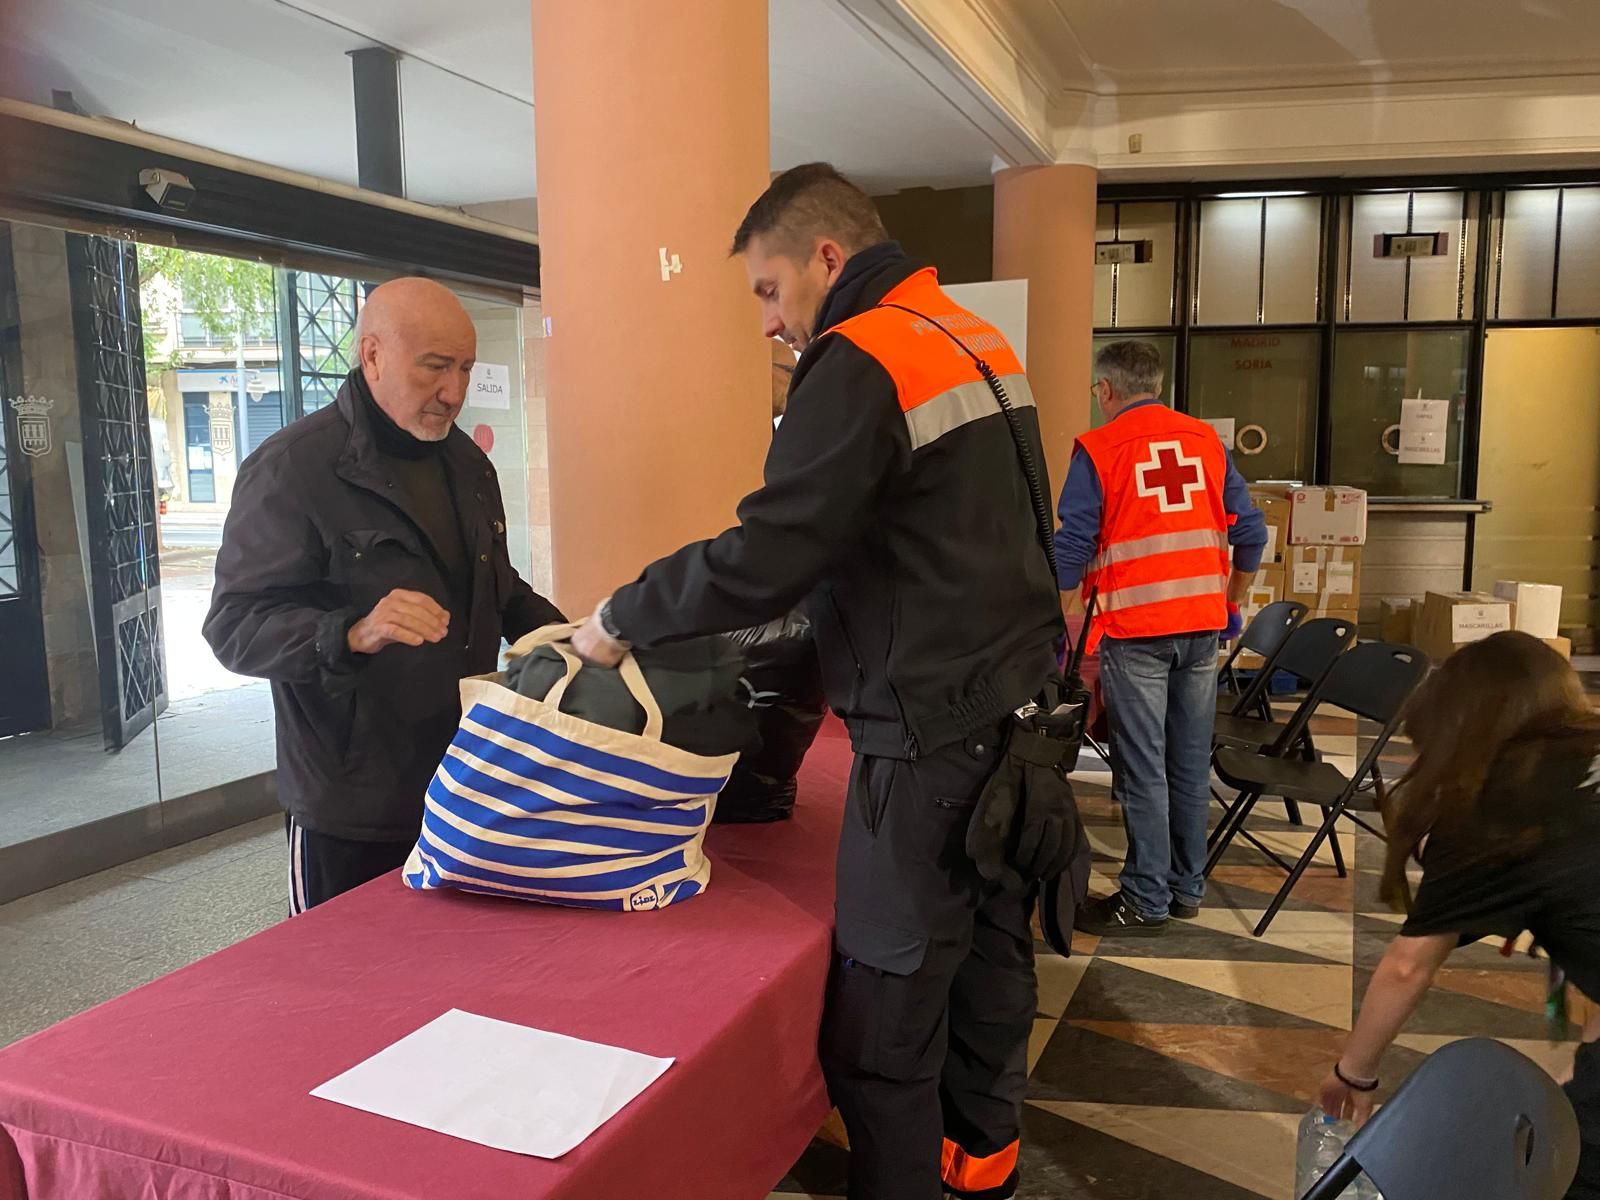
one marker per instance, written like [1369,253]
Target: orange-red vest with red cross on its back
[1164,561]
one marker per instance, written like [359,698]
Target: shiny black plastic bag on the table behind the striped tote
[786,687]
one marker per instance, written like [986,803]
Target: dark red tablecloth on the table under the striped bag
[198,1086]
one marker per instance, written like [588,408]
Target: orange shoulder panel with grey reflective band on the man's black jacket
[940,388]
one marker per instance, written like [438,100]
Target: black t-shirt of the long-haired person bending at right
[1551,890]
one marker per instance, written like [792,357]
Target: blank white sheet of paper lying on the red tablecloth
[497,1084]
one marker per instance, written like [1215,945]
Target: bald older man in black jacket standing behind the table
[364,570]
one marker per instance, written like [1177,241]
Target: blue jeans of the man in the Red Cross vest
[1161,695]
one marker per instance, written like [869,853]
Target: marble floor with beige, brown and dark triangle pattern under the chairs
[1180,1066]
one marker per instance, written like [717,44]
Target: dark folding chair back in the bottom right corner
[1476,1122]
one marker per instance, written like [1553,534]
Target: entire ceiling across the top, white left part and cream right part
[270,79]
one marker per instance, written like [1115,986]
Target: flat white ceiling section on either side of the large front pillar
[270,81]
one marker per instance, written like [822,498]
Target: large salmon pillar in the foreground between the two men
[652,138]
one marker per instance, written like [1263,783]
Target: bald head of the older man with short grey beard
[417,346]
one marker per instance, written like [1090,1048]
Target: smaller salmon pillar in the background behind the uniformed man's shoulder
[1046,234]
